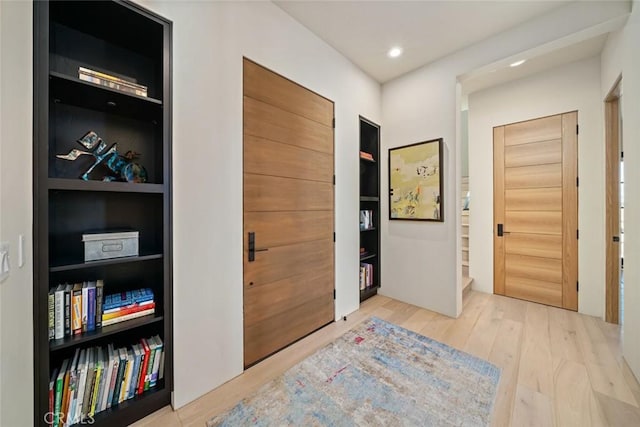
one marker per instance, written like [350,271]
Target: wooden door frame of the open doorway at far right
[612,202]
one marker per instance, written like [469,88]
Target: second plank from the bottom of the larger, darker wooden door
[266,300]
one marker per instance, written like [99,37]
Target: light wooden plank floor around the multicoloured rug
[559,368]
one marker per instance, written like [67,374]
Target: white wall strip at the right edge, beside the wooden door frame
[621,56]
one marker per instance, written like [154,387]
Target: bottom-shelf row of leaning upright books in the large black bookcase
[98,378]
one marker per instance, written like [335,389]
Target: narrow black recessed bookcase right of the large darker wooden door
[370,201]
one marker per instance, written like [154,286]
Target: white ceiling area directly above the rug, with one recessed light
[364,31]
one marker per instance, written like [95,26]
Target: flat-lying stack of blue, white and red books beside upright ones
[127,305]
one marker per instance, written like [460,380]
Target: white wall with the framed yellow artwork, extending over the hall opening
[421,260]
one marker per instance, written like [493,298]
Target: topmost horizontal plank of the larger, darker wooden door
[280,92]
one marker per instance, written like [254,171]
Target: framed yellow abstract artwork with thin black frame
[416,181]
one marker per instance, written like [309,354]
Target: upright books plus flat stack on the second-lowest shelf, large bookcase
[82,307]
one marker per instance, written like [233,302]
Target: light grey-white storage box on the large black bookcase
[110,245]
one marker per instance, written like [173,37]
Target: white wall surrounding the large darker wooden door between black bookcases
[209,41]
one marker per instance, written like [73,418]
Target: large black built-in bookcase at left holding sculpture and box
[122,39]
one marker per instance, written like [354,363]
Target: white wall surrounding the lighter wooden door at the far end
[571,87]
